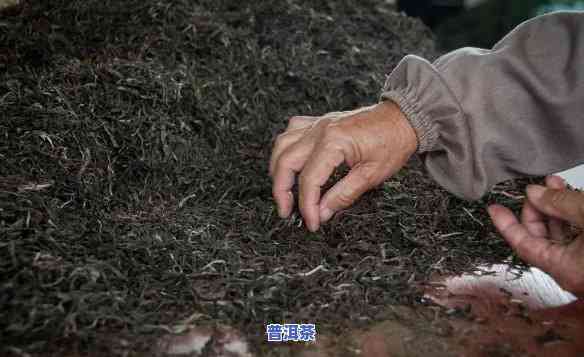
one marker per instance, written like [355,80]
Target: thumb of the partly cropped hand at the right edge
[564,204]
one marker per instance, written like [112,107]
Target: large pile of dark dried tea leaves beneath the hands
[134,199]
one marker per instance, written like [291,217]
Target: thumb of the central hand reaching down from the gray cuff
[345,192]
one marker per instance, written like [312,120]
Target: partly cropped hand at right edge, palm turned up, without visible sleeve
[540,238]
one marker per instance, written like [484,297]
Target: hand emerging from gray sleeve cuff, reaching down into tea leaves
[375,142]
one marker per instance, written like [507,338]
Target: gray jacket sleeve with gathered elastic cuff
[484,116]
